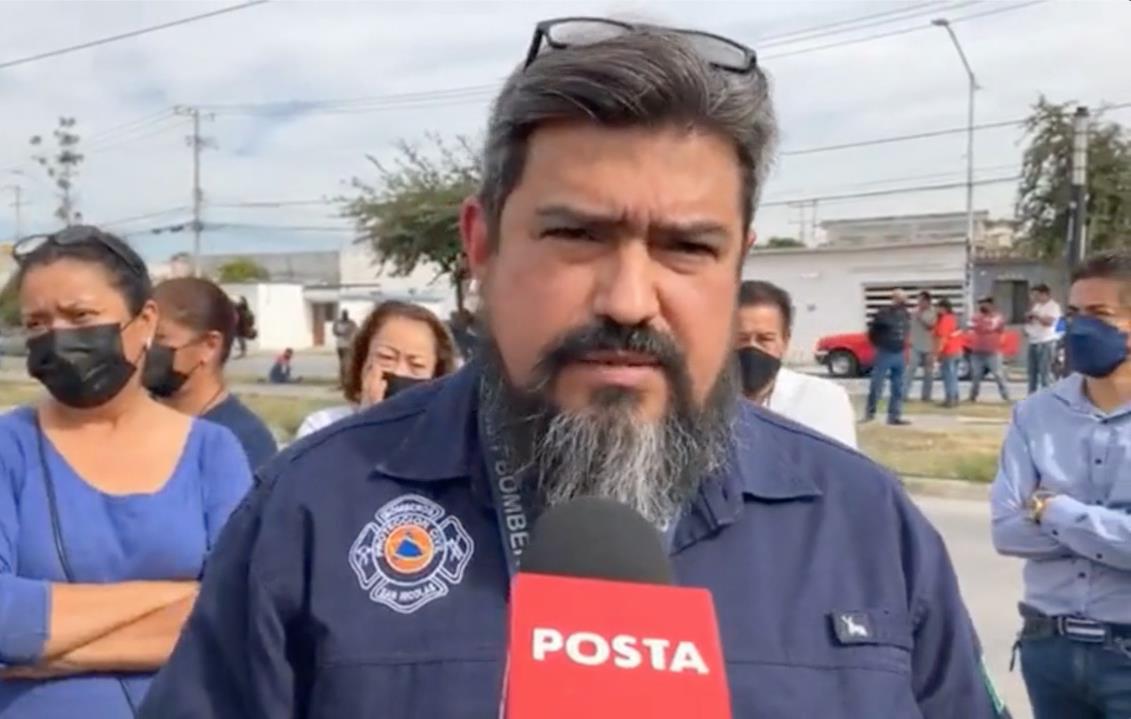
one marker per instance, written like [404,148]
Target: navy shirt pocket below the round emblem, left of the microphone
[463,685]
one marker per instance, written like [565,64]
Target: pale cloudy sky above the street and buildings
[410,70]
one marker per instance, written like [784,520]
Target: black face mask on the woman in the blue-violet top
[82,367]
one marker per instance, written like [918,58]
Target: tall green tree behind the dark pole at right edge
[1046,190]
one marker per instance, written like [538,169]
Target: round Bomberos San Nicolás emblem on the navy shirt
[412,553]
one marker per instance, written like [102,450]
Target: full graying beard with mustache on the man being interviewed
[606,451]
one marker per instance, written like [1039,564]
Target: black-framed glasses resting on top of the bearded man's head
[720,53]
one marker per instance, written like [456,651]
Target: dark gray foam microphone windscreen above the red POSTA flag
[598,539]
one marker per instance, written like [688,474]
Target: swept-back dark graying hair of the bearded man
[649,76]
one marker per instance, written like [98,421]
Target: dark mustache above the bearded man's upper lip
[610,336]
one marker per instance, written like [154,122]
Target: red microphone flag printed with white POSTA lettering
[603,651]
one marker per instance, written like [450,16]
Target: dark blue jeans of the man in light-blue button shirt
[1072,680]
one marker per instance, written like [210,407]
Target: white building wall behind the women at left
[283,316]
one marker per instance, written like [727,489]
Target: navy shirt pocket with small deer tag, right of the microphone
[860,666]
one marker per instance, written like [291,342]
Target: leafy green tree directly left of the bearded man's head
[411,213]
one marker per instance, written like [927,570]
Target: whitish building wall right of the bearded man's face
[828,284]
